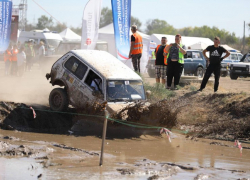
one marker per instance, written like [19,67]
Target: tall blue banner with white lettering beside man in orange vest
[121,10]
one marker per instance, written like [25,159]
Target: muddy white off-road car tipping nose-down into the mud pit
[86,76]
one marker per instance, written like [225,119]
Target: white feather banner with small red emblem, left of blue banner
[90,24]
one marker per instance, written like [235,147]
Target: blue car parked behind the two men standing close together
[194,63]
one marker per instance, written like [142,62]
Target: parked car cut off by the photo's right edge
[240,69]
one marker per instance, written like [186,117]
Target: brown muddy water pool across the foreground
[146,155]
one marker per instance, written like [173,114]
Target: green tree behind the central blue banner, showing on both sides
[107,18]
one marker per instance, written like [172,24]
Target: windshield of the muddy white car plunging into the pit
[125,90]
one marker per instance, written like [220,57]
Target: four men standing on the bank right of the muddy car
[169,59]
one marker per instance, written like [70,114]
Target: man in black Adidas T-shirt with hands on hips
[215,52]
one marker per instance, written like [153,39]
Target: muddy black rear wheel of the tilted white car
[58,99]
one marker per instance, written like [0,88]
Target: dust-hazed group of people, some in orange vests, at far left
[20,58]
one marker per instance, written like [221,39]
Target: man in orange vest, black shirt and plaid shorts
[160,67]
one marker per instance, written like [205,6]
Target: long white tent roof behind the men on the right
[187,41]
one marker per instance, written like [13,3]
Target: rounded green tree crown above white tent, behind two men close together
[157,26]
